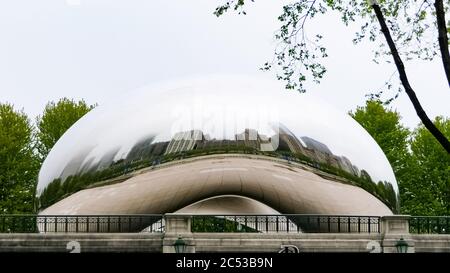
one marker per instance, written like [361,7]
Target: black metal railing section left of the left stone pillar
[81,223]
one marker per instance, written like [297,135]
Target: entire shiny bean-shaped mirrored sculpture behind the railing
[235,140]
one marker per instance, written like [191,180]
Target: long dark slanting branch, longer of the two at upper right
[405,82]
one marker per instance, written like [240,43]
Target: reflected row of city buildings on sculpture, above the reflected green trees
[196,140]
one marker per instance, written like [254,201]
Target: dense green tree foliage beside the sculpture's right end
[420,164]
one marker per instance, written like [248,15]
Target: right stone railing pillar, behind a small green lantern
[394,228]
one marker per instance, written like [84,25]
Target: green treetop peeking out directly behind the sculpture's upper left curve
[56,120]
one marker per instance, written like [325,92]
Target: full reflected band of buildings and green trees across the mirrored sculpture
[82,171]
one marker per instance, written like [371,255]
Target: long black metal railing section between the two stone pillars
[290,223]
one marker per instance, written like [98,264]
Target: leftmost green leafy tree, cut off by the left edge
[18,163]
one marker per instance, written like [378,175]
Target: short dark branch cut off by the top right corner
[443,37]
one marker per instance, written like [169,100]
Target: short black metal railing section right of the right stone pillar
[429,224]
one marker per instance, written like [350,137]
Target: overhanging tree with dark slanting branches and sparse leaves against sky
[409,21]
